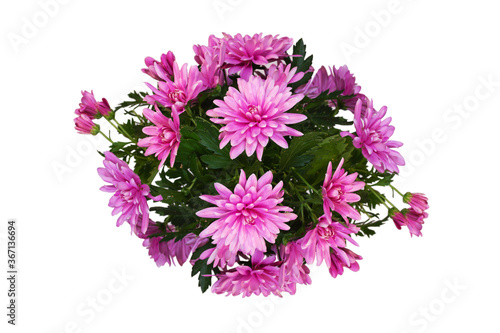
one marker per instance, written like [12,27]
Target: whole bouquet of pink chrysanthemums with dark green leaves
[251,164]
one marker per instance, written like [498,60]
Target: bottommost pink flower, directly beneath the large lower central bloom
[261,278]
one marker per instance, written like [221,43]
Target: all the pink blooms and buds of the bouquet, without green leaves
[246,252]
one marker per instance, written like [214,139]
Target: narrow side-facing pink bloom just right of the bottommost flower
[293,270]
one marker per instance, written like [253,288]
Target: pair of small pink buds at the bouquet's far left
[89,110]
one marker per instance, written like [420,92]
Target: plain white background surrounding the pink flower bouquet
[422,60]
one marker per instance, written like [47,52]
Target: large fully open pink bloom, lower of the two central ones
[249,216]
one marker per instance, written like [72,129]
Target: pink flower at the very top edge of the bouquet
[244,51]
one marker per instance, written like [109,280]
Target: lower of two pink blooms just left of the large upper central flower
[164,138]
